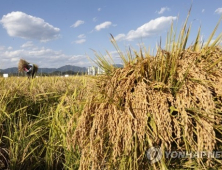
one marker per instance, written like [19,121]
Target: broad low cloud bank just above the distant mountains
[43,57]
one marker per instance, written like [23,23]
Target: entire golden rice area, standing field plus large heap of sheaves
[171,101]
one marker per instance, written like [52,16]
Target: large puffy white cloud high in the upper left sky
[19,24]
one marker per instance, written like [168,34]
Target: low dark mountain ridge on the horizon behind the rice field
[65,68]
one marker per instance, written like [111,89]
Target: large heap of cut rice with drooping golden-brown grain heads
[133,111]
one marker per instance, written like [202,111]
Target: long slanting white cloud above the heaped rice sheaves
[150,28]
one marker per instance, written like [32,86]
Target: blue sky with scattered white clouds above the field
[60,32]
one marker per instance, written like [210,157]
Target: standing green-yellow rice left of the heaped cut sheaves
[37,117]
